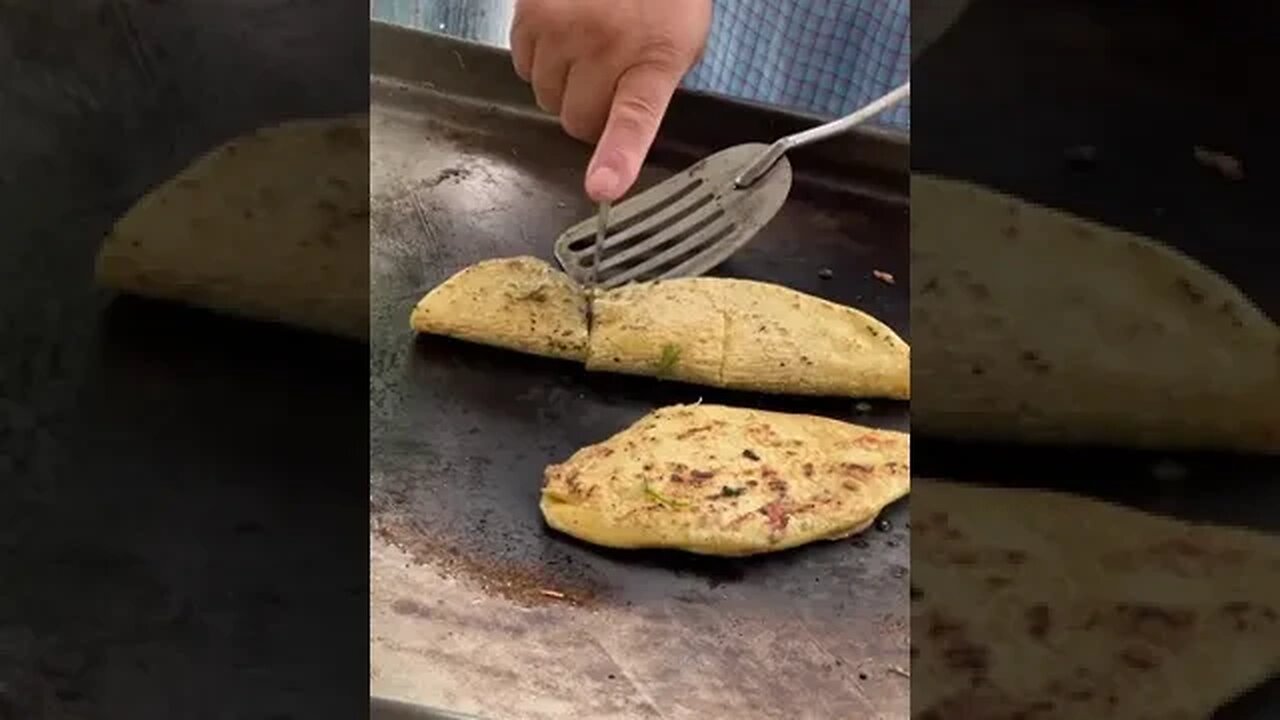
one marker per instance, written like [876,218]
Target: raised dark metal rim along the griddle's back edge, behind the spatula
[879,160]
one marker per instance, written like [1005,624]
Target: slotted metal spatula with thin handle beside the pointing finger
[694,221]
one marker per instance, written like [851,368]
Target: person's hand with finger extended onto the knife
[609,69]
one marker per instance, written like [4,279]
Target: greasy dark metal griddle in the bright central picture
[464,170]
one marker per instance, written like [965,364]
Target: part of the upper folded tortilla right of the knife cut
[748,335]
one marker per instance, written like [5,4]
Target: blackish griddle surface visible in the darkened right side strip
[1089,75]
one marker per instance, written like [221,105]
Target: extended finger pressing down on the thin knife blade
[639,103]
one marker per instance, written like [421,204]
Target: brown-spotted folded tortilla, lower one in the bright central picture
[728,481]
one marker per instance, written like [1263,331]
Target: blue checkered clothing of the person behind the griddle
[822,57]
